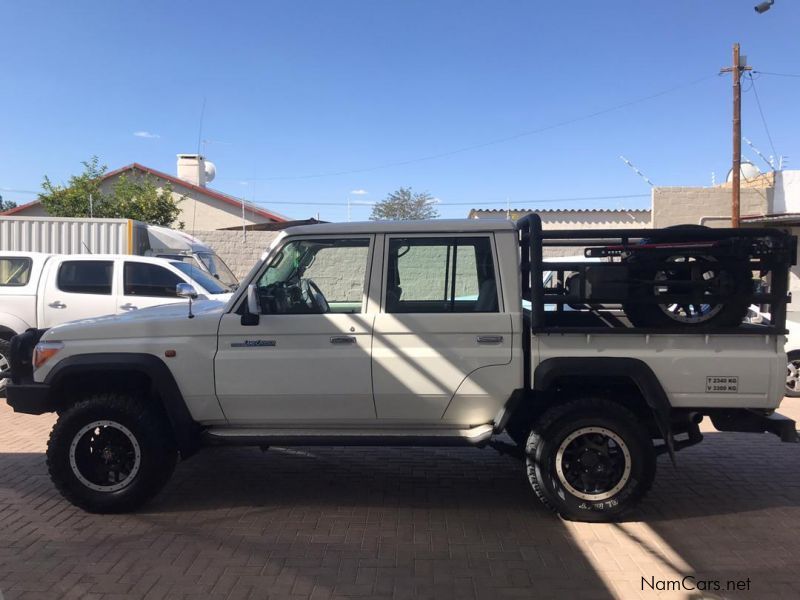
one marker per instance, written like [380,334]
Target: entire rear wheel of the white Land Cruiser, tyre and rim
[590,460]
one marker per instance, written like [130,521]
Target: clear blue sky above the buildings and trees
[298,89]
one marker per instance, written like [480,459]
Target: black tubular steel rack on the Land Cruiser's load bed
[768,251]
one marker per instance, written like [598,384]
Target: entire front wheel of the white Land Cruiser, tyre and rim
[111,453]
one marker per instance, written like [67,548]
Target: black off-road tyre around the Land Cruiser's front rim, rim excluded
[145,420]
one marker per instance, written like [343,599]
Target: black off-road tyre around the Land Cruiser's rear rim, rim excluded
[551,430]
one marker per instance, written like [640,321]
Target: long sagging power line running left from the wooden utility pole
[493,142]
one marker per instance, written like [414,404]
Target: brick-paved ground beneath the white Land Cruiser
[398,523]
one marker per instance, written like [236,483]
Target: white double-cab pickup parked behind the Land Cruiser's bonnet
[44,290]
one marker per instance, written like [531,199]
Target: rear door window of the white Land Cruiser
[440,275]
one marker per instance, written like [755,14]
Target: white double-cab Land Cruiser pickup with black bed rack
[414,333]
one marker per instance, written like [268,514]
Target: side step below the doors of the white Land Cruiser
[474,436]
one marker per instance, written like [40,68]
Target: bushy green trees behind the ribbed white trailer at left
[137,198]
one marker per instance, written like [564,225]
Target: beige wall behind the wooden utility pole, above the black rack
[711,206]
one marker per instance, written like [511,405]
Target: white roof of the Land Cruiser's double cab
[428,226]
